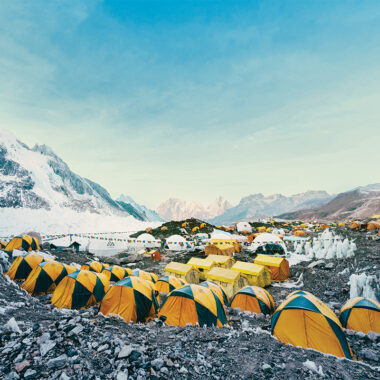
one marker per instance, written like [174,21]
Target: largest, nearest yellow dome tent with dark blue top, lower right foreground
[303,320]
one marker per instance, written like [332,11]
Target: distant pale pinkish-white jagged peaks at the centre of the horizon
[177,209]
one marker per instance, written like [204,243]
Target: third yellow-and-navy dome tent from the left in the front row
[45,277]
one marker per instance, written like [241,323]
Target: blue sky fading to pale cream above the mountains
[197,99]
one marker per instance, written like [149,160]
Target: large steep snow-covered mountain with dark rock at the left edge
[36,178]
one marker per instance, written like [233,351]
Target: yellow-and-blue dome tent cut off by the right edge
[361,314]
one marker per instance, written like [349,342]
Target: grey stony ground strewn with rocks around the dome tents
[37,341]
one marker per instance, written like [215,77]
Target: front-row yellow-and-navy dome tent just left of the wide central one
[132,298]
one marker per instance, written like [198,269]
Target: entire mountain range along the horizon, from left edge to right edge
[36,178]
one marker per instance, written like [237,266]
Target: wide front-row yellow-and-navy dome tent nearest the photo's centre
[193,304]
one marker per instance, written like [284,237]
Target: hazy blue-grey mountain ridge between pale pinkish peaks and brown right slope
[259,205]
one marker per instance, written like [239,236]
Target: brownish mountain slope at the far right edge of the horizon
[361,202]
